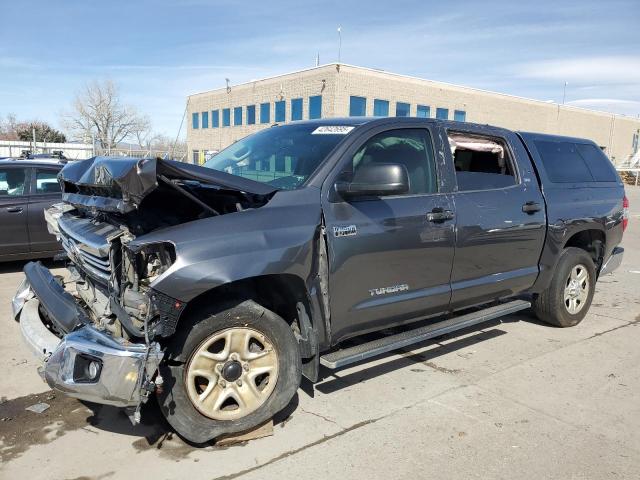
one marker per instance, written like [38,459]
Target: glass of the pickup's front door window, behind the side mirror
[409,147]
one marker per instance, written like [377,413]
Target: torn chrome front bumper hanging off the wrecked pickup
[121,371]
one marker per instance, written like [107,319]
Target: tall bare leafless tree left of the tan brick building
[98,110]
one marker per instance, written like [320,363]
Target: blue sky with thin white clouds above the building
[160,51]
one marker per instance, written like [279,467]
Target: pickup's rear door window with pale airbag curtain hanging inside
[482,163]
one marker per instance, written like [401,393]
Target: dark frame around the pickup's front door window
[346,161]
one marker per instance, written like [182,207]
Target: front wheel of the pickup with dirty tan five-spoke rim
[231,324]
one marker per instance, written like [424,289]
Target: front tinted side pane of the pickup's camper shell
[562,162]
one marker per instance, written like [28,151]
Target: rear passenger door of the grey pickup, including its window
[500,216]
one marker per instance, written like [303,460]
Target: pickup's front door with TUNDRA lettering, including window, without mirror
[389,261]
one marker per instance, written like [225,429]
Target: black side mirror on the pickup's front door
[377,179]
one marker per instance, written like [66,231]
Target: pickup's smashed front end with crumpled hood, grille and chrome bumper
[100,331]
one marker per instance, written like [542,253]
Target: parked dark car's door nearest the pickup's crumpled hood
[45,191]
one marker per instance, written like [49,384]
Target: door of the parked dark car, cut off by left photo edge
[14,189]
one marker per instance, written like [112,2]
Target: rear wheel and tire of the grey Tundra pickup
[557,305]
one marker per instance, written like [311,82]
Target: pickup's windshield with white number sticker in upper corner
[281,156]
